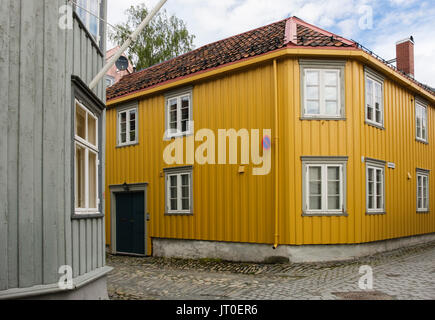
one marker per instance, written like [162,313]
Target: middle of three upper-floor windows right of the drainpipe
[374,98]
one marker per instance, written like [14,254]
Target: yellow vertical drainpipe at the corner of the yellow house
[276,138]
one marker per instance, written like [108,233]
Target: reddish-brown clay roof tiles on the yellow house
[249,44]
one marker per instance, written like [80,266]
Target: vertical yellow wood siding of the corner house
[229,206]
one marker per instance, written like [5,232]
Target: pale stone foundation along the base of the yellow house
[264,253]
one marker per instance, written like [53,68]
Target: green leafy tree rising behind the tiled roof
[162,39]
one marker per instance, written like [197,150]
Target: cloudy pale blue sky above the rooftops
[392,20]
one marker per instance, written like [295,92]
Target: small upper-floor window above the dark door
[127,126]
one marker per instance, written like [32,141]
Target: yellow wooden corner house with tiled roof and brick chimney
[295,143]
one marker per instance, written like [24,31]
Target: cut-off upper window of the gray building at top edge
[89,13]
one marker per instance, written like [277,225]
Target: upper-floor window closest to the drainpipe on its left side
[178,114]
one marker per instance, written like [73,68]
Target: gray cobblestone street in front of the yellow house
[401,274]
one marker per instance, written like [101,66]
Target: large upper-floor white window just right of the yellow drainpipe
[322,89]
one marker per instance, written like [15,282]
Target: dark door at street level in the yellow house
[130,223]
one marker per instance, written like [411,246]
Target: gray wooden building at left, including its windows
[51,149]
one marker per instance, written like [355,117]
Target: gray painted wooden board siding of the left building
[37,233]
